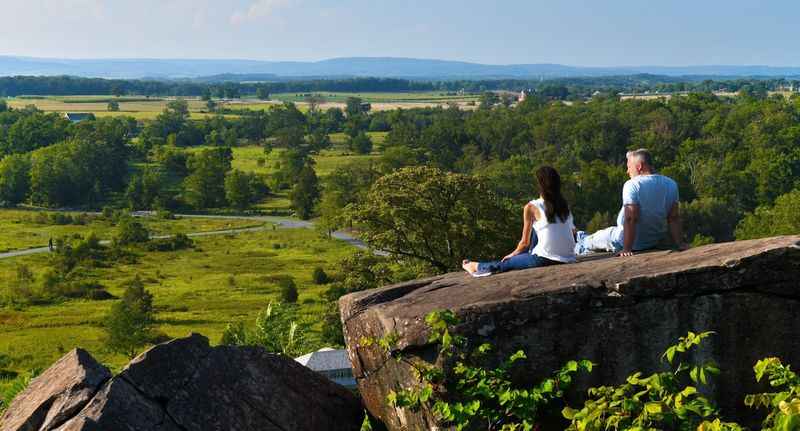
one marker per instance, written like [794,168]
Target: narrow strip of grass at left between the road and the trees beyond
[19,229]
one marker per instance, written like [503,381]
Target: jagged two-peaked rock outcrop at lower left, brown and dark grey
[184,385]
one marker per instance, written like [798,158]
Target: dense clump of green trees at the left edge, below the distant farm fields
[53,163]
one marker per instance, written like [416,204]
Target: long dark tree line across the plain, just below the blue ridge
[235,86]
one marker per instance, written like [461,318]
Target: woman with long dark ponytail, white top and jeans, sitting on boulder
[553,237]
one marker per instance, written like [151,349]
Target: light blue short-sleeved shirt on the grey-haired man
[655,195]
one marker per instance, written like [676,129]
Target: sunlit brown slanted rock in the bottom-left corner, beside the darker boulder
[56,394]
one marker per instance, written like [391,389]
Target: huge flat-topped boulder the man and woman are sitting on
[618,312]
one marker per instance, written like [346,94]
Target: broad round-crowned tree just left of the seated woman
[435,217]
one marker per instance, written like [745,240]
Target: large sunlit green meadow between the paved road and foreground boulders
[224,279]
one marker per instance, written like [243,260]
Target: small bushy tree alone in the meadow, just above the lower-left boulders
[129,324]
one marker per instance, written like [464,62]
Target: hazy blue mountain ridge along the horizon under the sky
[389,67]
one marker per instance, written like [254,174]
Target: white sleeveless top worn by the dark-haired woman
[555,240]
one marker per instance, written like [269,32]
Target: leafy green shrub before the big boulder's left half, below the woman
[472,395]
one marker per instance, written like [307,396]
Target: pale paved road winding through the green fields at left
[280,222]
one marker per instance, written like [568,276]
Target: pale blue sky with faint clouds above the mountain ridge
[573,32]
